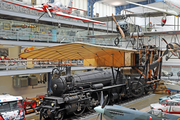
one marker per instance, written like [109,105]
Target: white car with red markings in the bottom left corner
[11,107]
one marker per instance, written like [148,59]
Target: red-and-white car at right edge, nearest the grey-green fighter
[167,106]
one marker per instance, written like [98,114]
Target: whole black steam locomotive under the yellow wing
[75,93]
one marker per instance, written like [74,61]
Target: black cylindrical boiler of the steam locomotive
[95,79]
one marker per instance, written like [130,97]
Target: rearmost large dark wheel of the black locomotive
[136,88]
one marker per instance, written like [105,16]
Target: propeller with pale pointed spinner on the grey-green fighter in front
[100,109]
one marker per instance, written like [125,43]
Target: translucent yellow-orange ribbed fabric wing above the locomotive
[93,55]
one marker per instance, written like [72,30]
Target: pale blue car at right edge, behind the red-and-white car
[172,97]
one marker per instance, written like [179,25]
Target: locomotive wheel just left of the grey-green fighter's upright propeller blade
[94,101]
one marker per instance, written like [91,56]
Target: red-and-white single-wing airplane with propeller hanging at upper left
[55,8]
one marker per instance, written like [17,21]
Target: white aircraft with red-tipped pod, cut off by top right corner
[172,4]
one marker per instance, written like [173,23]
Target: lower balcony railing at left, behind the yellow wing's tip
[18,64]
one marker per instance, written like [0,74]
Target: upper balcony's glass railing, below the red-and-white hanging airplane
[52,38]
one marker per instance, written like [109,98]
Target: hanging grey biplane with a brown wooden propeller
[126,31]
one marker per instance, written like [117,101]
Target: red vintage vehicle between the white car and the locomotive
[31,104]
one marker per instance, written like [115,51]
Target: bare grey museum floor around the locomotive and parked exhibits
[140,104]
